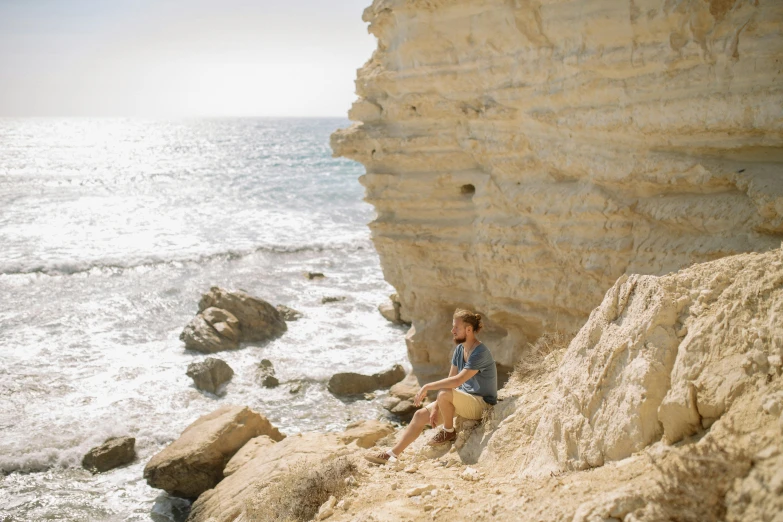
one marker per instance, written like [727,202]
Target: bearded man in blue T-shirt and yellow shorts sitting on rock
[468,390]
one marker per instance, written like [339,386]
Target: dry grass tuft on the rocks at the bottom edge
[297,495]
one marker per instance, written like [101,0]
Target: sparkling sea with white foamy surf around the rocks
[110,231]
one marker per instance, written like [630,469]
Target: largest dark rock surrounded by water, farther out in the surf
[226,319]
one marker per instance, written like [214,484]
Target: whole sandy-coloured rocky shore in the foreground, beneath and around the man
[666,403]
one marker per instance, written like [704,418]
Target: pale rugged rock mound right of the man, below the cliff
[663,358]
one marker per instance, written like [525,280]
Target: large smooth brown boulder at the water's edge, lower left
[195,461]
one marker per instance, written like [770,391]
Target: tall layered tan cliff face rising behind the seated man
[522,155]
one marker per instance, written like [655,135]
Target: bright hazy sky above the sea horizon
[180,57]
